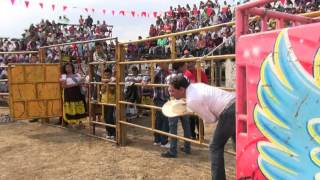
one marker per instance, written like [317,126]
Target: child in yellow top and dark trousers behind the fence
[108,96]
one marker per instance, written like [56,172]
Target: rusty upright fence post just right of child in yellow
[120,108]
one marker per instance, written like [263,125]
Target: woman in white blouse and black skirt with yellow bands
[74,105]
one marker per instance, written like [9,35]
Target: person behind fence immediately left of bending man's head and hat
[160,97]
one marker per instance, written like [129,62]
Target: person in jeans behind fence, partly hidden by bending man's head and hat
[178,69]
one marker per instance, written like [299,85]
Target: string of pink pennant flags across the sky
[146,14]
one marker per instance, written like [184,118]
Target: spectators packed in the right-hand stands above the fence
[182,18]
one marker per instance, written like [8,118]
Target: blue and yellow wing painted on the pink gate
[288,116]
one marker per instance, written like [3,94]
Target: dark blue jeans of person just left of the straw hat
[162,124]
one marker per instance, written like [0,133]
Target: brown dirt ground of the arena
[39,151]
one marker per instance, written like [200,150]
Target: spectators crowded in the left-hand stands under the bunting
[51,32]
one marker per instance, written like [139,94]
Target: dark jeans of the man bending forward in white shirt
[224,130]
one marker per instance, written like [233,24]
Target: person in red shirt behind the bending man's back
[191,74]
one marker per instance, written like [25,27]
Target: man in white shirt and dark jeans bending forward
[212,105]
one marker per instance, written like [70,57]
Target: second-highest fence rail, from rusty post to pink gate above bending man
[192,59]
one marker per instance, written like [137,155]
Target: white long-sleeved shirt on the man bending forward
[207,101]
